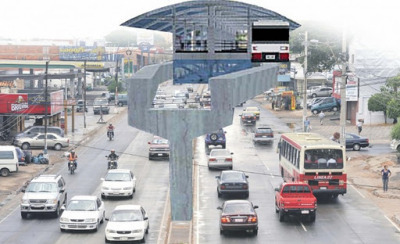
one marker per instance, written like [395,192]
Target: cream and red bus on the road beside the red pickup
[315,160]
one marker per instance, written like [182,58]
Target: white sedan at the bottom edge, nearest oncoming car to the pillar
[127,223]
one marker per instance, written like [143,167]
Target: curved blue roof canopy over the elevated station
[193,15]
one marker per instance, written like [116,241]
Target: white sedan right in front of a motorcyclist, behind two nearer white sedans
[118,183]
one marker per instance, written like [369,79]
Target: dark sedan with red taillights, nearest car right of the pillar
[238,215]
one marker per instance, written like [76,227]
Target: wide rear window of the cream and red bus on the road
[323,159]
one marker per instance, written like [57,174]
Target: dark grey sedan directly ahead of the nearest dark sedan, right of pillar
[231,182]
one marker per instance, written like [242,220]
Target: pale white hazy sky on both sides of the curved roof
[95,18]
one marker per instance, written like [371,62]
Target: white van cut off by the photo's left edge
[8,160]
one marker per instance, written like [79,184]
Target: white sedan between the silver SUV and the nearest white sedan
[82,213]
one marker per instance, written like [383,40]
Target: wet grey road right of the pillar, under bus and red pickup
[349,219]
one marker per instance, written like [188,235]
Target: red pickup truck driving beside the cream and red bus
[295,198]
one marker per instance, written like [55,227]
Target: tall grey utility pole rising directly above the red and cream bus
[343,101]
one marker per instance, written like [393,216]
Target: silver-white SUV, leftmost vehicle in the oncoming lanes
[44,194]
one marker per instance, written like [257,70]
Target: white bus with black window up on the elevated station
[270,41]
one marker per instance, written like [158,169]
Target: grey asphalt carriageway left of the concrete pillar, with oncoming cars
[151,189]
